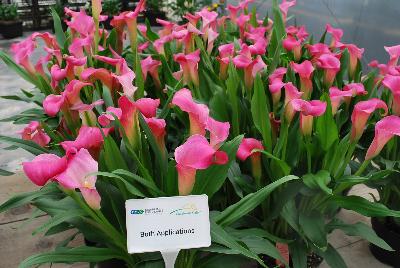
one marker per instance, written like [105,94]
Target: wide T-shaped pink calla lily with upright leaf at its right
[308,110]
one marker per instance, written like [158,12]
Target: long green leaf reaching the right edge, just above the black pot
[363,206]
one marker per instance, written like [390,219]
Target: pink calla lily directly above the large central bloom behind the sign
[198,113]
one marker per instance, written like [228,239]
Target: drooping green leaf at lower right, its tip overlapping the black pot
[359,229]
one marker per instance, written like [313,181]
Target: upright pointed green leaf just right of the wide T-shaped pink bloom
[326,129]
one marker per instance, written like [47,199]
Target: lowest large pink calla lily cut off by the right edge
[385,129]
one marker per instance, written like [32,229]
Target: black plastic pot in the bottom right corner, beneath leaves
[390,232]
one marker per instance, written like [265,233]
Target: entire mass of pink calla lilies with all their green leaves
[271,126]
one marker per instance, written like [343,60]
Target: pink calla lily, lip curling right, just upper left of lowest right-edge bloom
[362,111]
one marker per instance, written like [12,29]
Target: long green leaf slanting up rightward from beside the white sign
[249,202]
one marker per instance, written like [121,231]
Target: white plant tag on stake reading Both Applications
[167,224]
